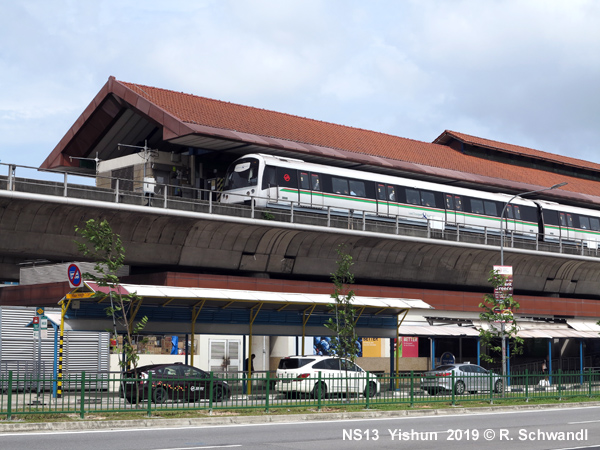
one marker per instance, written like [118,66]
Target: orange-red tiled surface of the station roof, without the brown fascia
[214,113]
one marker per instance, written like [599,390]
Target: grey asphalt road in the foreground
[532,430]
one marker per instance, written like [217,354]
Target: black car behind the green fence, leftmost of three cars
[179,382]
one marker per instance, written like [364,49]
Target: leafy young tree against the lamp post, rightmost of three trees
[498,312]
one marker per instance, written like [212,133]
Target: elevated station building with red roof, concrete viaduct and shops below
[169,151]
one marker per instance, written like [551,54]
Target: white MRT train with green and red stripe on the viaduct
[273,181]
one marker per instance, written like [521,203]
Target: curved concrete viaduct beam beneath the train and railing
[32,227]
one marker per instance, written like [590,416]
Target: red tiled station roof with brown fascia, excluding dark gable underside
[182,114]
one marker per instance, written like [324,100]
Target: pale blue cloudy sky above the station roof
[523,72]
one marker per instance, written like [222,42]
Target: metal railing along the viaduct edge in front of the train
[175,197]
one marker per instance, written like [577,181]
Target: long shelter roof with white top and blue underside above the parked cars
[236,311]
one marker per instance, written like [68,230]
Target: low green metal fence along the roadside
[87,394]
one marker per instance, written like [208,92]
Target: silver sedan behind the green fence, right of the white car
[466,377]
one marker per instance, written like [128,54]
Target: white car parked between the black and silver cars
[300,374]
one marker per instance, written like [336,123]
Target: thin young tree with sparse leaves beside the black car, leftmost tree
[106,249]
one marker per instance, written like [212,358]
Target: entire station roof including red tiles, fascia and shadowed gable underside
[129,112]
